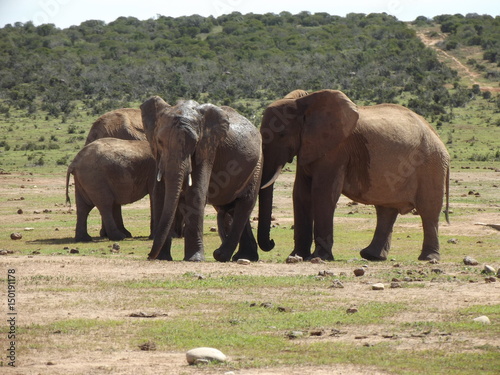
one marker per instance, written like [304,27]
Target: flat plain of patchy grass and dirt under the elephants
[76,311]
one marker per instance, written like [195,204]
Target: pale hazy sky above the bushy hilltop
[64,13]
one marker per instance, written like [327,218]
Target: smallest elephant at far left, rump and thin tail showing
[109,173]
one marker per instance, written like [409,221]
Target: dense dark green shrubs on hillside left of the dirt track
[373,58]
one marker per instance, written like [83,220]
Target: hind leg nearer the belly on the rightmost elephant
[381,242]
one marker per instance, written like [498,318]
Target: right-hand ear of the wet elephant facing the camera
[214,129]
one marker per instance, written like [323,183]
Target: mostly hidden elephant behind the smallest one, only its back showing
[123,123]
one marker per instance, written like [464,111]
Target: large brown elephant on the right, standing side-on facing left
[383,155]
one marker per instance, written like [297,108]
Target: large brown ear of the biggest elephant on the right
[329,118]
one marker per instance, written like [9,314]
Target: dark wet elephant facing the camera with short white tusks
[211,155]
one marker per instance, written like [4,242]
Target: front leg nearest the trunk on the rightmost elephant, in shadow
[302,215]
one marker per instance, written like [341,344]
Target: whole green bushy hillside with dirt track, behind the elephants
[54,83]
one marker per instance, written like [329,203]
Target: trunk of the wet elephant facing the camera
[173,187]
